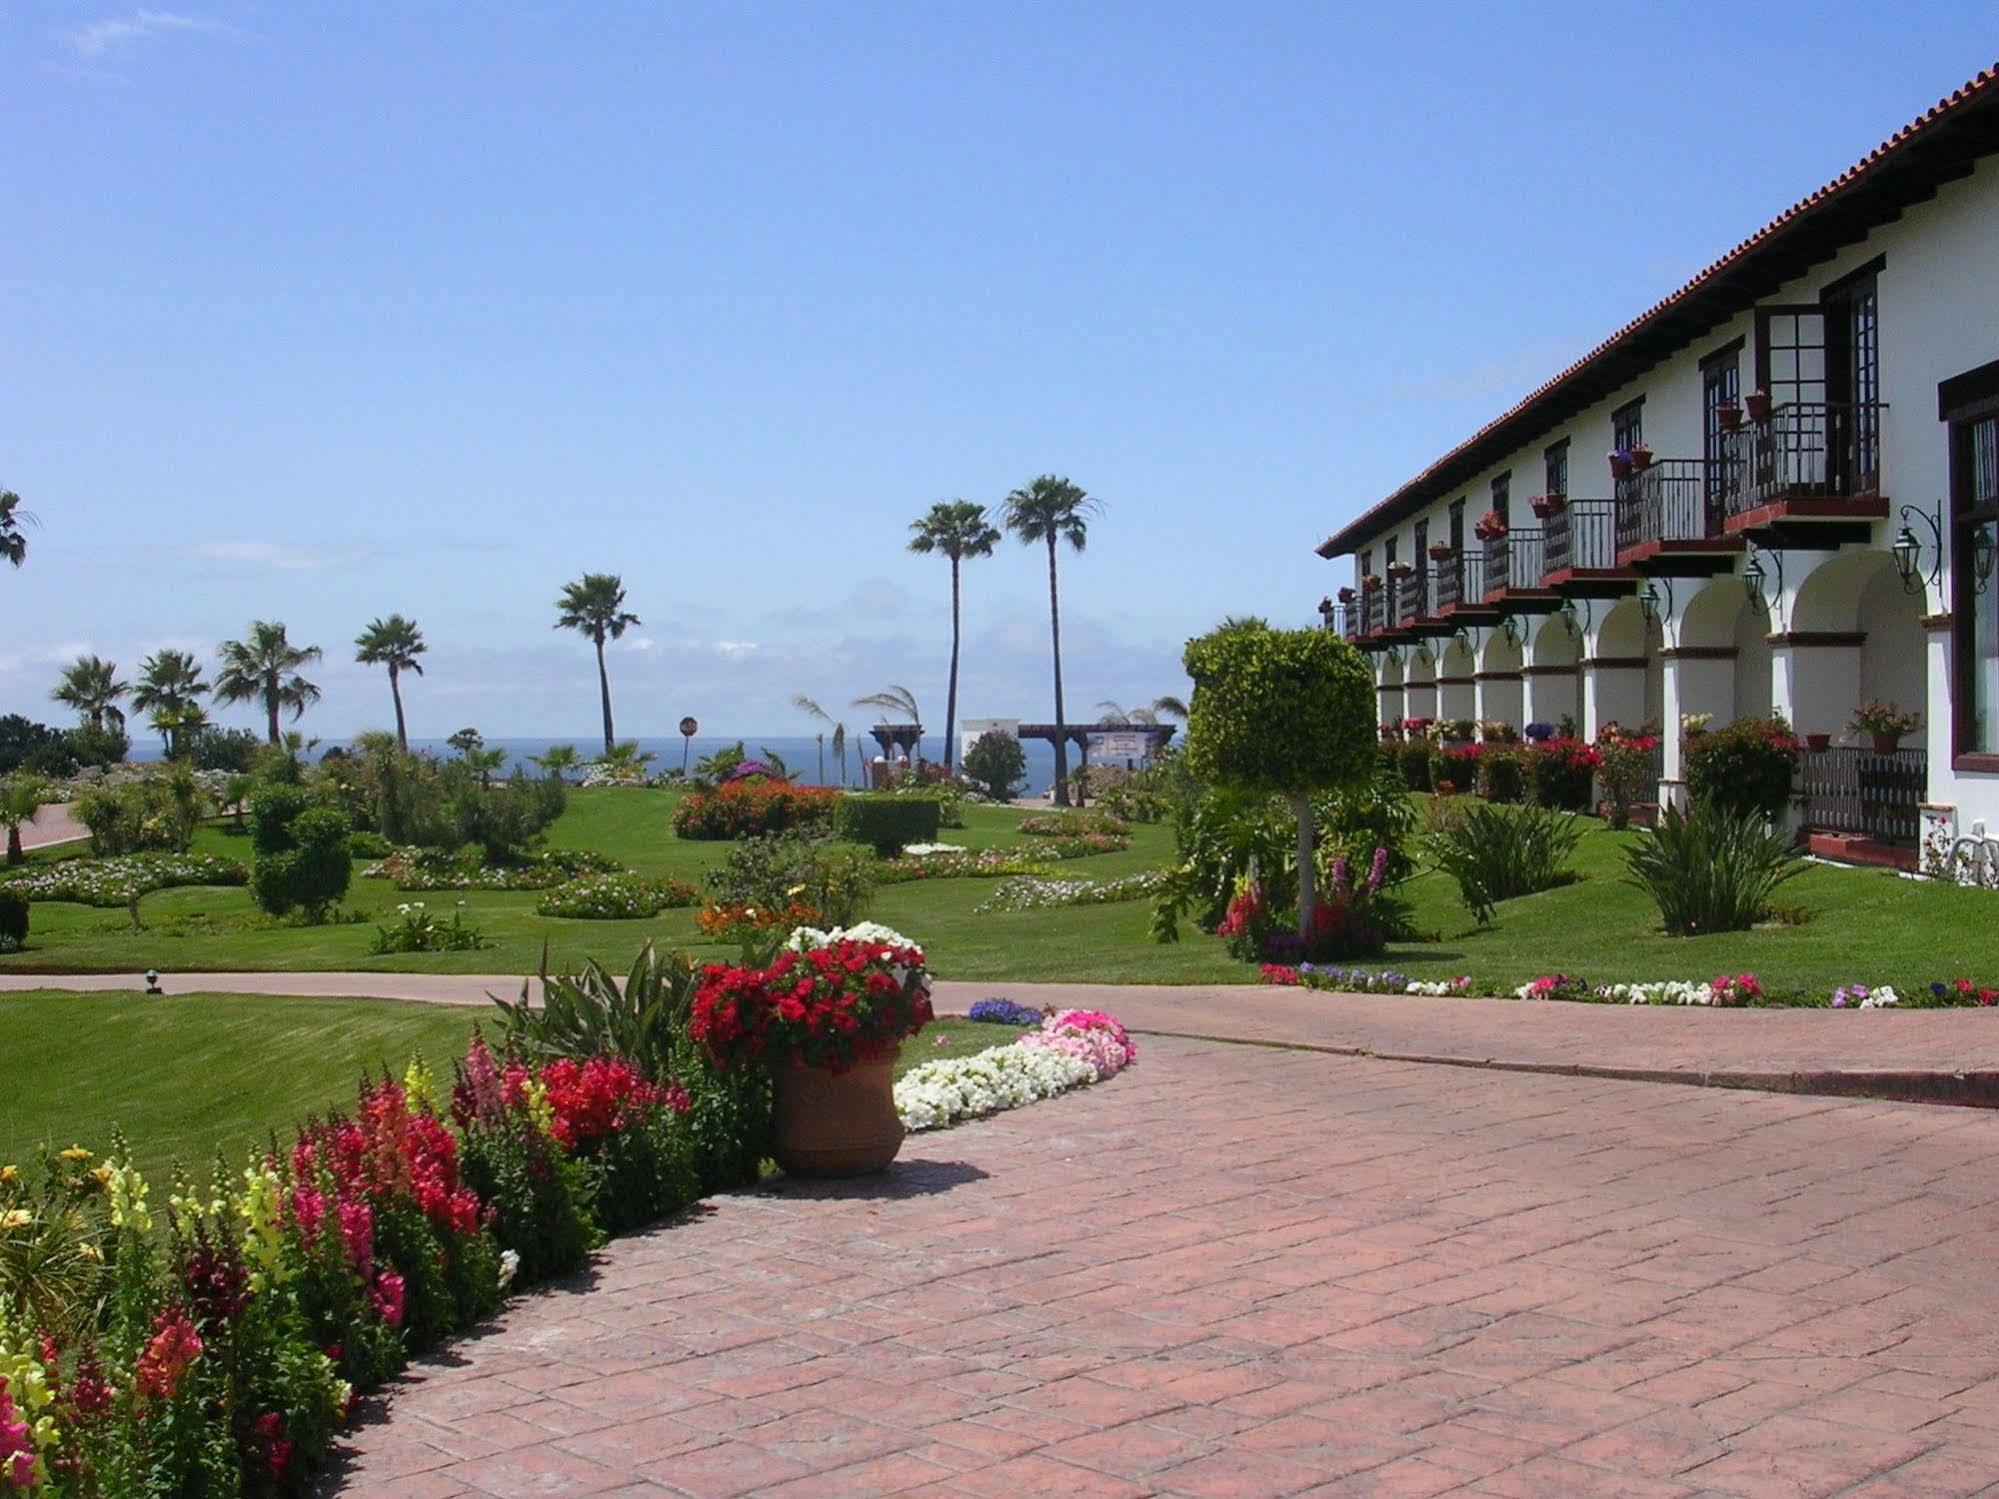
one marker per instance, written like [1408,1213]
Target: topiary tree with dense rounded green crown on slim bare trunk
[1280,711]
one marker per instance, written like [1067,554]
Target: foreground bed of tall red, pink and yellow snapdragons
[217,1344]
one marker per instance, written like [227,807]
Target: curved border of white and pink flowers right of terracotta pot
[1072,1048]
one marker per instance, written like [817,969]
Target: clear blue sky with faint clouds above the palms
[327,311]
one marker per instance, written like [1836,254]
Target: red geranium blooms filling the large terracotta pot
[825,1008]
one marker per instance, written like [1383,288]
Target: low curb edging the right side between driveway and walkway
[1972,1090]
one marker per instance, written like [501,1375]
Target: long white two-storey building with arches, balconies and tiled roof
[1814,529]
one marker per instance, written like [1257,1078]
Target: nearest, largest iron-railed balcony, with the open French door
[1808,475]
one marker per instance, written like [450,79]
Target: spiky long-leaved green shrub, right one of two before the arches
[1714,868]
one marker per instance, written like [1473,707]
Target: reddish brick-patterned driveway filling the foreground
[1256,1272]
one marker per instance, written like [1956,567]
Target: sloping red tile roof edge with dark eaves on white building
[1498,437]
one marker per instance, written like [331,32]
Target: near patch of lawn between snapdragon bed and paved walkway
[199,1074]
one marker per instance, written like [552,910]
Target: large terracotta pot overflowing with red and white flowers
[829,1020]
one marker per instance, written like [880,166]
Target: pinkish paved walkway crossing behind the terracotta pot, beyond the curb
[1928,1054]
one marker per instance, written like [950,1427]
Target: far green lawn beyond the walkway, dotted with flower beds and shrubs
[1866,926]
